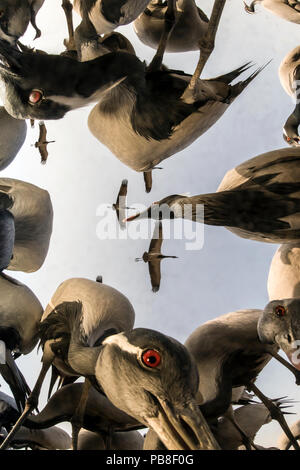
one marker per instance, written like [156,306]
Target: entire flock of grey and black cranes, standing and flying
[137,378]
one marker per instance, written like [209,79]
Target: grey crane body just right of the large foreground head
[228,354]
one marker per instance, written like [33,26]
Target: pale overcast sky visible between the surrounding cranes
[228,273]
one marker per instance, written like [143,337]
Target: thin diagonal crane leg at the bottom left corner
[31,404]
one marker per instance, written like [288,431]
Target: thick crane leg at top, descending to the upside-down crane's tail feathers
[206,46]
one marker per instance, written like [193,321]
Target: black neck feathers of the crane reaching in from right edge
[257,205]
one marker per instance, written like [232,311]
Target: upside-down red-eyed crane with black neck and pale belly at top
[144,109]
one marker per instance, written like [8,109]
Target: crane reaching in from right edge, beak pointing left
[258,200]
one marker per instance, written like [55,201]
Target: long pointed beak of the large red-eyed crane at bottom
[182,429]
